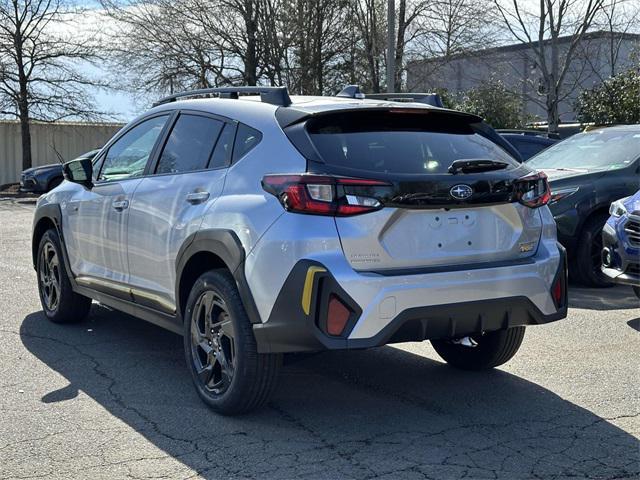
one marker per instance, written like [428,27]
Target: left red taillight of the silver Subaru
[324,194]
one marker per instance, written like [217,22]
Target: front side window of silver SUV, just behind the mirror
[128,156]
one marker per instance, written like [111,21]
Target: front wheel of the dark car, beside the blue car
[589,254]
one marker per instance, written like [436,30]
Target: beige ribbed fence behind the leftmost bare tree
[69,139]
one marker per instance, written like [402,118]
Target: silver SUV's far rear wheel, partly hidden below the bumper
[492,349]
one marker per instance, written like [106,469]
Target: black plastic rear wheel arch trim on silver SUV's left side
[226,245]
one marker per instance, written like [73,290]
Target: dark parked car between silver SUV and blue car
[587,172]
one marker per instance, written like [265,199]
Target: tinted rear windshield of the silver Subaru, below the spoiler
[399,142]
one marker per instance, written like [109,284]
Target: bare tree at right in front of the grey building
[541,30]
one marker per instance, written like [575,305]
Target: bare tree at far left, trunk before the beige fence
[38,54]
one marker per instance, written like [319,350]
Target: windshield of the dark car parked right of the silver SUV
[598,150]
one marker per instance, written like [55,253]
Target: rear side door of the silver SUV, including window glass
[168,205]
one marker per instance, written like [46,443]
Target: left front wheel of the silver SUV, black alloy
[59,302]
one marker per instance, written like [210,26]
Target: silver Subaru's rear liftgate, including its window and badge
[433,217]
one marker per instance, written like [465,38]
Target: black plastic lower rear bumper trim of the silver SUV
[290,330]
